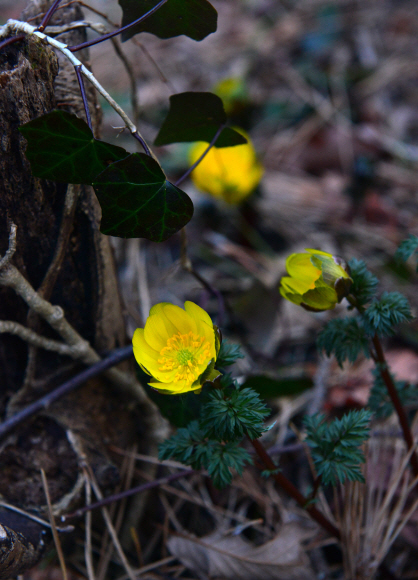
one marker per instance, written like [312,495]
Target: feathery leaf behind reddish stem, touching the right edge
[379,401]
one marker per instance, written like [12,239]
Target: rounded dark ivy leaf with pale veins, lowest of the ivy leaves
[138,202]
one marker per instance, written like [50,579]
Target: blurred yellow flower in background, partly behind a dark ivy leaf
[229,173]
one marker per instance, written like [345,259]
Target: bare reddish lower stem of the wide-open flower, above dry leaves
[288,486]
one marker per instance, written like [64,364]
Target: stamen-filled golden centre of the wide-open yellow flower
[186,353]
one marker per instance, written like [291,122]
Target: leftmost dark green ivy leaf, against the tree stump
[61,147]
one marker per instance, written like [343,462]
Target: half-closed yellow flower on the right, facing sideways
[317,280]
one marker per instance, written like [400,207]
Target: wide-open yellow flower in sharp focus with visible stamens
[177,347]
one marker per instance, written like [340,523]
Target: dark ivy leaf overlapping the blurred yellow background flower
[197,117]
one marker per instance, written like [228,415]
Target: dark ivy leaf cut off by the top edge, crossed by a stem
[193,18]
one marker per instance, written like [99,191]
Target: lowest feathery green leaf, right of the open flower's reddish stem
[335,446]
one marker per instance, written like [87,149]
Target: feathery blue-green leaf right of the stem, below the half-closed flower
[382,315]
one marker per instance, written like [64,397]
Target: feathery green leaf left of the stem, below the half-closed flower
[345,338]
